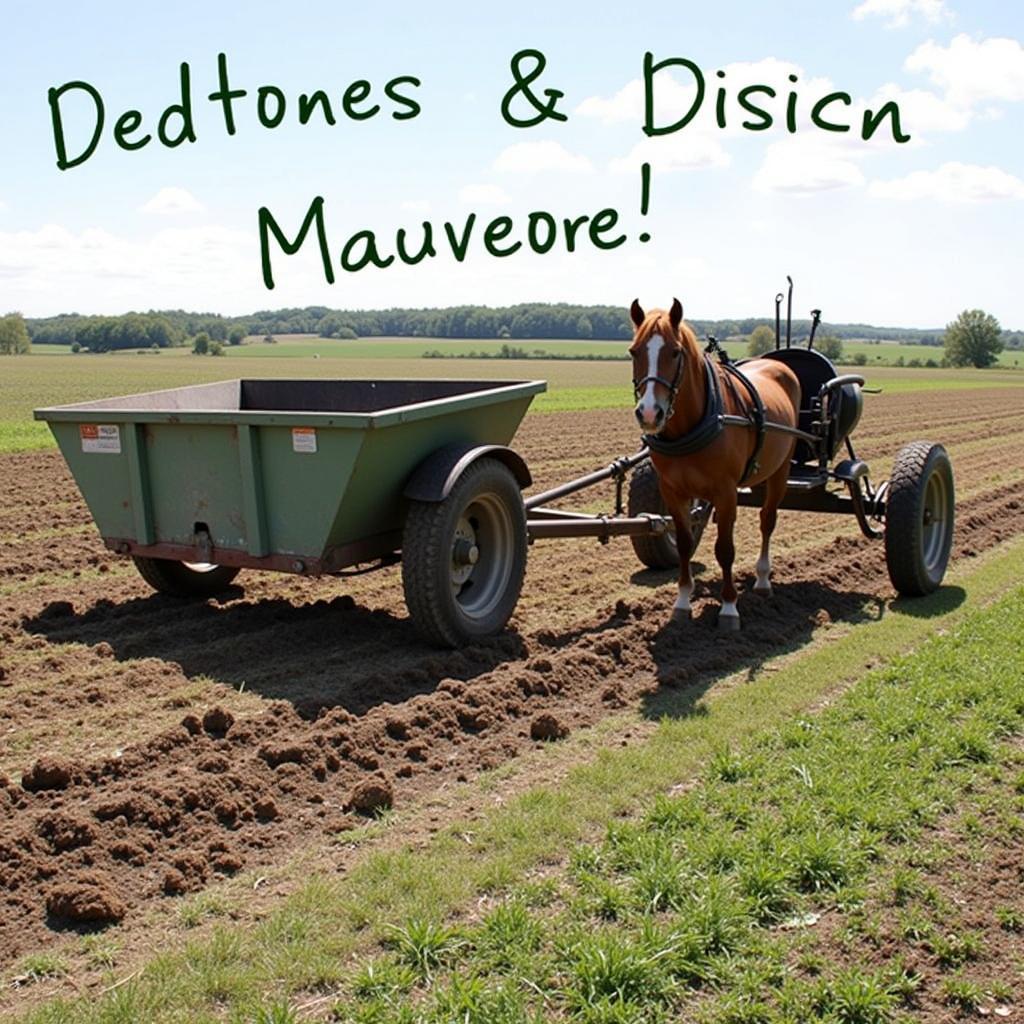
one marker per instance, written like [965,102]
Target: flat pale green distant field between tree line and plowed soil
[52,376]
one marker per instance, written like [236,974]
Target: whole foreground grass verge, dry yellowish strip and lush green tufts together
[639,910]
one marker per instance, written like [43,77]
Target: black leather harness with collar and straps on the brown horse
[715,420]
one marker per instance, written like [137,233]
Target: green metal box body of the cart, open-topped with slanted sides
[301,476]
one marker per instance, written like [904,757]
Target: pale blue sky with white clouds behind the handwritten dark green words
[872,231]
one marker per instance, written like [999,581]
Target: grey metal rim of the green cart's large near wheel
[481,560]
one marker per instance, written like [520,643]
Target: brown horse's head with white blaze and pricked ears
[659,353]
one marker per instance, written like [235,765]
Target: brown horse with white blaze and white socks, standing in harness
[672,390]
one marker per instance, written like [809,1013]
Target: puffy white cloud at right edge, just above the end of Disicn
[973,72]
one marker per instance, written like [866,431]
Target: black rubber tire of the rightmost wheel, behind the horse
[915,466]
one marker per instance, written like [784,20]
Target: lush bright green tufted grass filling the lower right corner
[675,916]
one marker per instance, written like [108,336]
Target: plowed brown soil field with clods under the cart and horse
[150,747]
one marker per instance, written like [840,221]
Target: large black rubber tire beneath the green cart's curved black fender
[426,558]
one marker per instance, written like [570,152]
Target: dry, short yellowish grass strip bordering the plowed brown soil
[304,946]
